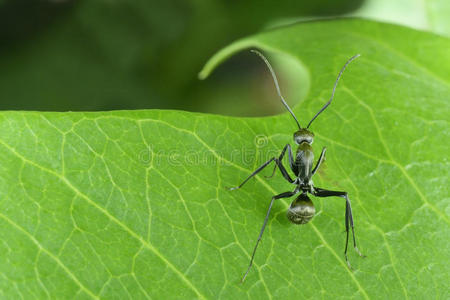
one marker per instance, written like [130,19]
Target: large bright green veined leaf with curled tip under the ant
[133,203]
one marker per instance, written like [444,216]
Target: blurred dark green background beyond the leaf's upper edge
[103,55]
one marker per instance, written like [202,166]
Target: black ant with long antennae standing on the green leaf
[302,210]
